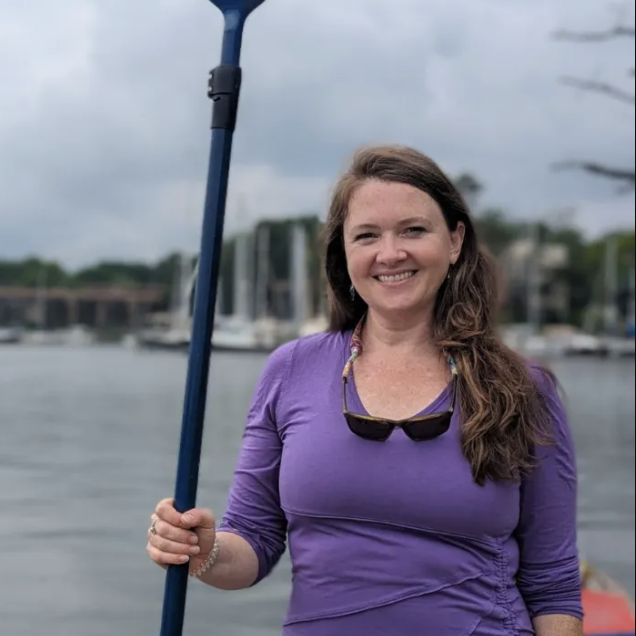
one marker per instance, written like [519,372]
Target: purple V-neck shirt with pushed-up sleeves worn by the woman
[395,537]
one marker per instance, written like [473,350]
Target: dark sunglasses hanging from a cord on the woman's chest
[418,429]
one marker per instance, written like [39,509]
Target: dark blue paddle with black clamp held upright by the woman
[224,88]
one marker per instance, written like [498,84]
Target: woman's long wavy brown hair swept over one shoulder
[501,405]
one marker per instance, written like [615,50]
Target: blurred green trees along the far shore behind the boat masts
[583,274]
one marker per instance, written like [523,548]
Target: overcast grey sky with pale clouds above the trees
[104,119]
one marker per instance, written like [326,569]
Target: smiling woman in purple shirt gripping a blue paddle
[422,473]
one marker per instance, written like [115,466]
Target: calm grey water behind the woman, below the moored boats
[88,445]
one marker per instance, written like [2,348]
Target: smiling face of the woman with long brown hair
[398,247]
